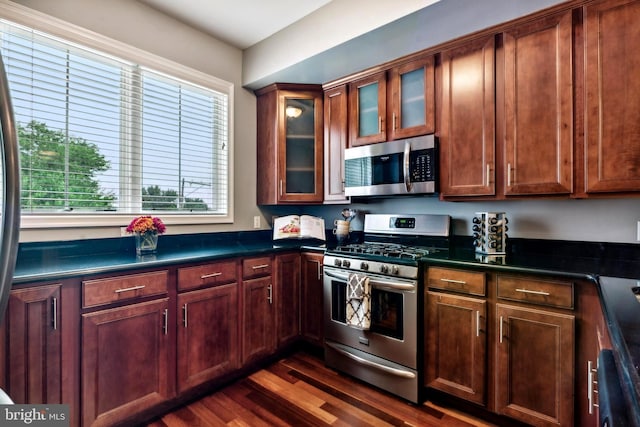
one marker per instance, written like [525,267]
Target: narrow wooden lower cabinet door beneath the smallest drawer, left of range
[258,319]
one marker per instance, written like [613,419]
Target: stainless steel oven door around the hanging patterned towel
[394,312]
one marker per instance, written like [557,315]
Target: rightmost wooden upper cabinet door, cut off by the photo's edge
[612,104]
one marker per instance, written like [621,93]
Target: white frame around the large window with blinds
[75,34]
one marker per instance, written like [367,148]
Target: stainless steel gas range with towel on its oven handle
[378,283]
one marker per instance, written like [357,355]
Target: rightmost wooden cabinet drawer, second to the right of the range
[553,293]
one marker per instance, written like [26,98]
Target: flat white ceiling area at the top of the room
[241,23]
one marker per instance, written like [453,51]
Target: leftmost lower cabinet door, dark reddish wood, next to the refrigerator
[34,365]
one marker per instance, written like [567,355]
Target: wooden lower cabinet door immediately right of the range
[457,345]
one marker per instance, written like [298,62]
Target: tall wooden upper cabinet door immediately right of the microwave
[467,128]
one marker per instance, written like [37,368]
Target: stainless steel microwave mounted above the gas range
[406,166]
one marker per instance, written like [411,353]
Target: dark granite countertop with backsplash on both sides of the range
[613,268]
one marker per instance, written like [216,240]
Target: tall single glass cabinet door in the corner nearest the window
[301,167]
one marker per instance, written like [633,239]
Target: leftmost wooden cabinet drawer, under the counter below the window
[121,288]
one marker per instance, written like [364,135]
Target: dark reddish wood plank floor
[300,391]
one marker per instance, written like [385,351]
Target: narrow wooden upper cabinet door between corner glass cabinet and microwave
[335,141]
